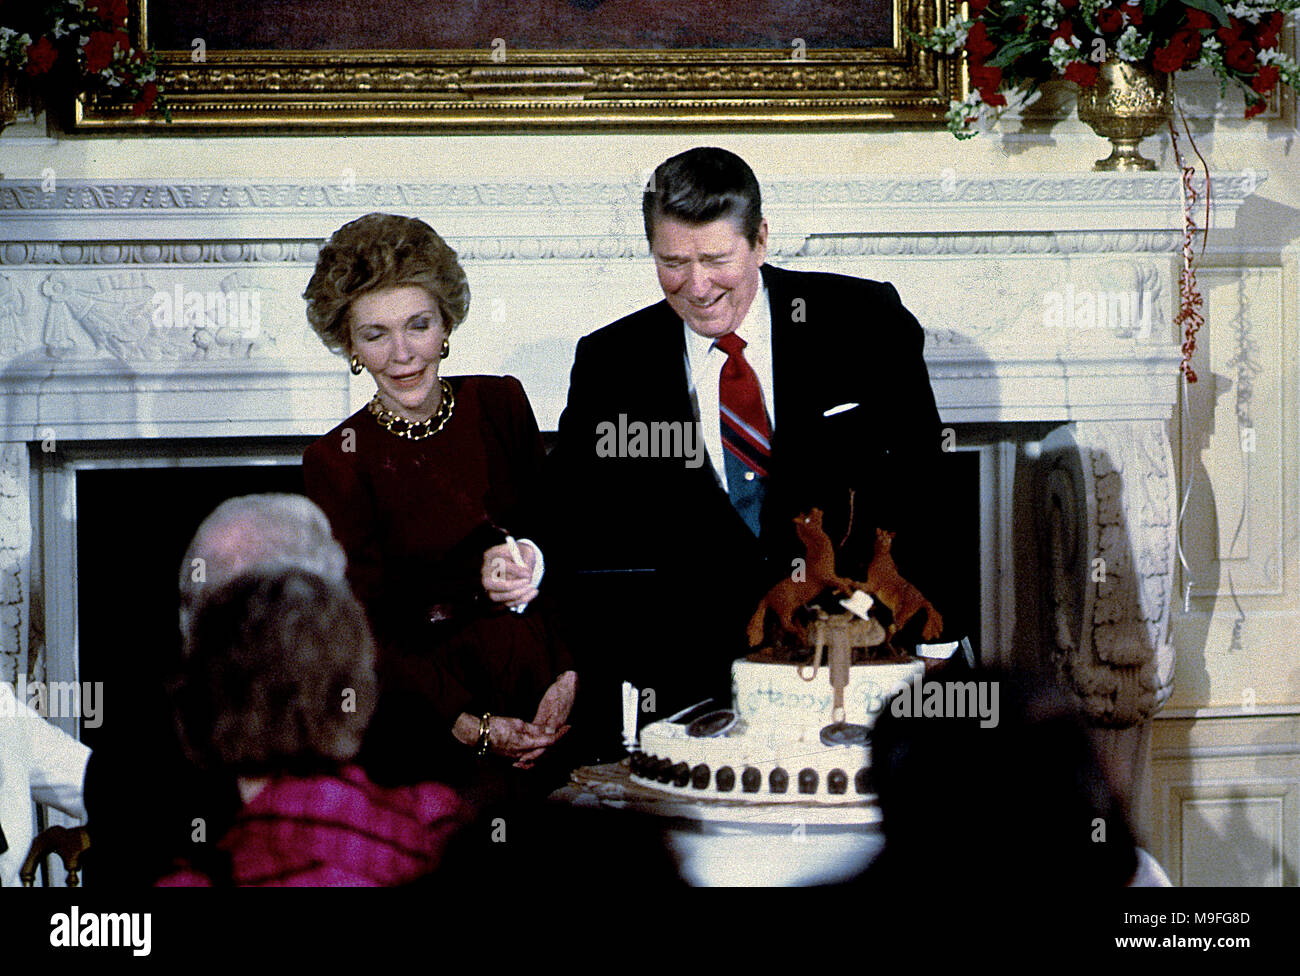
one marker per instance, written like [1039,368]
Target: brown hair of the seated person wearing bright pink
[279,676]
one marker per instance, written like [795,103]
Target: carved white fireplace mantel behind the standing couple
[977,259]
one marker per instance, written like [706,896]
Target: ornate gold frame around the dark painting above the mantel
[467,90]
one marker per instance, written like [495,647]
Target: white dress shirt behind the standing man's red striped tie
[705,365]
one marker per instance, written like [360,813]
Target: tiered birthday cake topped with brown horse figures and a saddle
[803,706]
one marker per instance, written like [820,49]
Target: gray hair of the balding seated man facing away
[261,533]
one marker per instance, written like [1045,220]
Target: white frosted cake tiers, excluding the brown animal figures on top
[775,751]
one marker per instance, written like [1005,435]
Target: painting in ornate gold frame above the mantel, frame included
[474,66]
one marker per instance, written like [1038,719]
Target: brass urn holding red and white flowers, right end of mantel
[1126,105]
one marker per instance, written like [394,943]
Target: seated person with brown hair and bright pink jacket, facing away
[276,691]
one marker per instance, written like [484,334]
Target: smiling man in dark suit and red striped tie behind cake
[682,465]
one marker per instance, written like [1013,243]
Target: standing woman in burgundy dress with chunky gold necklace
[428,491]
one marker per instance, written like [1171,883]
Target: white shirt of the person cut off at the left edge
[38,762]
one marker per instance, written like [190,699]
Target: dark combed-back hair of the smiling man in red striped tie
[700,186]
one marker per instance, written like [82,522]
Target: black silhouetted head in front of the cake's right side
[1022,803]
